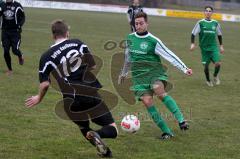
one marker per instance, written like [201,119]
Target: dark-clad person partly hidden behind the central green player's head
[132,11]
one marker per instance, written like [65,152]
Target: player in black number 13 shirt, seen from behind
[71,59]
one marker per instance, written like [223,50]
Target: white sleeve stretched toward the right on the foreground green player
[168,55]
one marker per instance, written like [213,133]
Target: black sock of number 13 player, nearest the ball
[107,132]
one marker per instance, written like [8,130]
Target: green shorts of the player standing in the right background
[208,56]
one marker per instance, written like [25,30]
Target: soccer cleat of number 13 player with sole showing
[102,149]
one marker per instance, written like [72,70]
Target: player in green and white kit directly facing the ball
[143,56]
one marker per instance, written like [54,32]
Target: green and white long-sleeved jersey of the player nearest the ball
[144,53]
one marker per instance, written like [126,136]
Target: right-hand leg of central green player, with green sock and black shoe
[169,102]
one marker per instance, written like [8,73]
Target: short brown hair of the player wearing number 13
[59,28]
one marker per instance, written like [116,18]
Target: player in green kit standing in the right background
[208,29]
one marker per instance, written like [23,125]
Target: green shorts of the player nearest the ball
[145,86]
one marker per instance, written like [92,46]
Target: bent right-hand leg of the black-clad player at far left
[16,41]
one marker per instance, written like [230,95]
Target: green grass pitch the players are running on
[38,133]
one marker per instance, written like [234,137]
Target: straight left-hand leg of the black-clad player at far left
[6,43]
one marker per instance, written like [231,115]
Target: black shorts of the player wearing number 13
[82,109]
